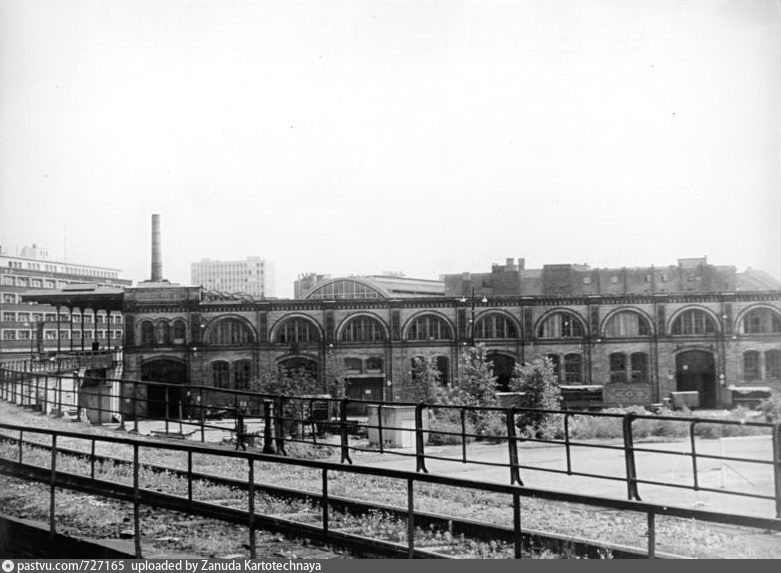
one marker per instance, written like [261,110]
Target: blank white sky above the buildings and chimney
[417,136]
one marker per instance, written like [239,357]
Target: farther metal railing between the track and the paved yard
[324,421]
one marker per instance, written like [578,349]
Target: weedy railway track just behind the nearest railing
[349,537]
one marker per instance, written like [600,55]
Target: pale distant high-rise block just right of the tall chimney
[253,276]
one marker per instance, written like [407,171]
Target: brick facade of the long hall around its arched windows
[727,344]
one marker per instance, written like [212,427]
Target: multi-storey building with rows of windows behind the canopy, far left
[30,329]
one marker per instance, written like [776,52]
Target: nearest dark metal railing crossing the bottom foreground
[18,466]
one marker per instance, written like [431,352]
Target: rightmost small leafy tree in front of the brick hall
[538,381]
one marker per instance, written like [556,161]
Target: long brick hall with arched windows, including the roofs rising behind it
[638,333]
